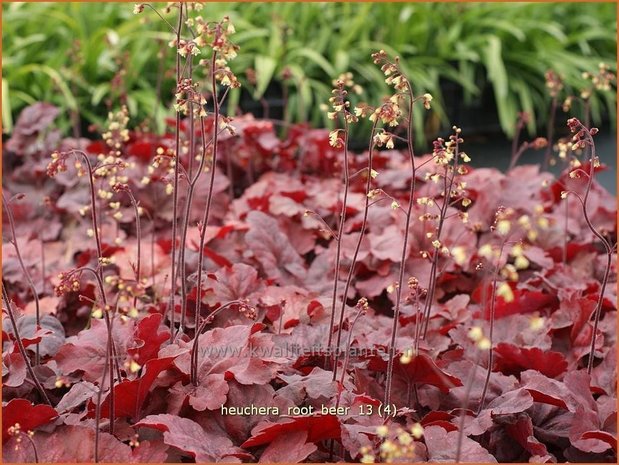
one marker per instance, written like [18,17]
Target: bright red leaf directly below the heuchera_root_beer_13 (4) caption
[318,427]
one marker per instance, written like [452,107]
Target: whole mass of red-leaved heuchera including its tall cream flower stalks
[329,306]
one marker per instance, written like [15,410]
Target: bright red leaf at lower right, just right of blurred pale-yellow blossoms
[511,360]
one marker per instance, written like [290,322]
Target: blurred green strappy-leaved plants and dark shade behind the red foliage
[483,62]
